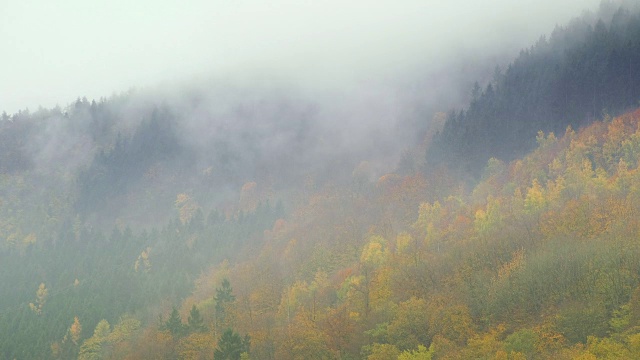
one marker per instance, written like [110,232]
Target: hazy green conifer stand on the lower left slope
[92,276]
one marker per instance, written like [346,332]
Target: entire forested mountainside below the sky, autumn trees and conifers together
[229,223]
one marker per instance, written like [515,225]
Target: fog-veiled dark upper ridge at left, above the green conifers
[129,155]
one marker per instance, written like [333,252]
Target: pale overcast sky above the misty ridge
[54,51]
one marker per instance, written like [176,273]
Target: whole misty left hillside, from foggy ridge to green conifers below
[113,208]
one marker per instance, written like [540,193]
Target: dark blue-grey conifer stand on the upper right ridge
[585,69]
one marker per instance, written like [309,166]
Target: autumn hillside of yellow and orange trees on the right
[539,260]
